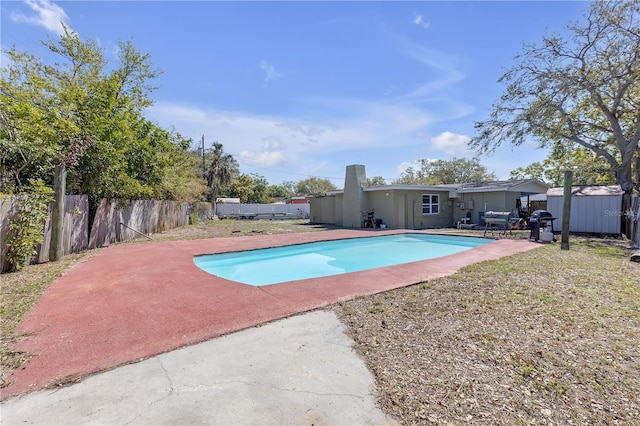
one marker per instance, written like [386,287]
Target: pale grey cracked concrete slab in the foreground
[296,371]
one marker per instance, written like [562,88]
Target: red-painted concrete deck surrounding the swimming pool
[130,302]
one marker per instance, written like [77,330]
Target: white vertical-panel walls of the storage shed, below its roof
[589,214]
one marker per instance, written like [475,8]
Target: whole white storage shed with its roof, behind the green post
[594,209]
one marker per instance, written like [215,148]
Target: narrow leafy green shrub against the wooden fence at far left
[26,229]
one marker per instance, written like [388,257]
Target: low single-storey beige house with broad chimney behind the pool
[417,206]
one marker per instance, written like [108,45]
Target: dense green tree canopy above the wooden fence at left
[80,112]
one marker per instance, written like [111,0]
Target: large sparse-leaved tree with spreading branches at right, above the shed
[580,90]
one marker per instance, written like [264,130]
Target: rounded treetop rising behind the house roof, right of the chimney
[437,172]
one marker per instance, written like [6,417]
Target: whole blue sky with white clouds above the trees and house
[294,89]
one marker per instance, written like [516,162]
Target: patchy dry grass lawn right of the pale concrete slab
[544,337]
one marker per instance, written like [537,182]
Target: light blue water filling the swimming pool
[323,258]
